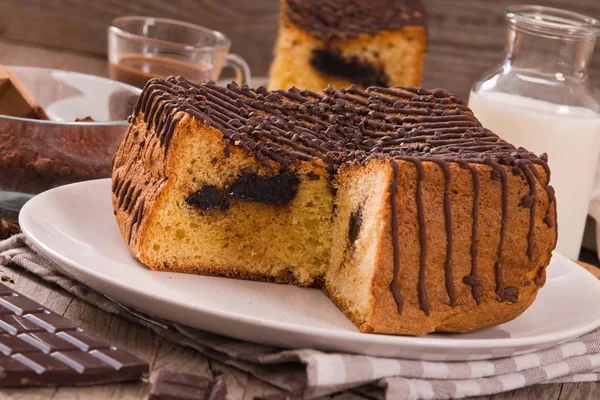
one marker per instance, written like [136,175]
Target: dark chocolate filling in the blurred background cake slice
[331,62]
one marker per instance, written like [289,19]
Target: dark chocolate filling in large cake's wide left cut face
[277,190]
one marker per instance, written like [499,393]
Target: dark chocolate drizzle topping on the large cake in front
[349,127]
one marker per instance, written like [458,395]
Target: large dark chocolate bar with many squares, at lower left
[41,348]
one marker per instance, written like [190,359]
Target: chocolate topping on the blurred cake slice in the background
[339,19]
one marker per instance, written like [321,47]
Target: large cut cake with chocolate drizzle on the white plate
[397,202]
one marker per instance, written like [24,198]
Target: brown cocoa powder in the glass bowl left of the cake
[36,156]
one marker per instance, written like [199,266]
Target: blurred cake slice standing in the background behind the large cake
[366,43]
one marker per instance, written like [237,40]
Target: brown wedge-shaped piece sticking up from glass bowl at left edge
[15,99]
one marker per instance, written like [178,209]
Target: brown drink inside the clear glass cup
[136,70]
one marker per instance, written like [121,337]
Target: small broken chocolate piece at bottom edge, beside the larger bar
[178,386]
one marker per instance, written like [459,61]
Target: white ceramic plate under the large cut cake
[74,225]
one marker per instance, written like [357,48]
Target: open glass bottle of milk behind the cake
[540,98]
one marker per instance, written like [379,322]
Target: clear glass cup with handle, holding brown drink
[142,48]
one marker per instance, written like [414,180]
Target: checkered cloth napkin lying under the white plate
[307,373]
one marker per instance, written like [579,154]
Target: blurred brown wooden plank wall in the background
[466,37]
